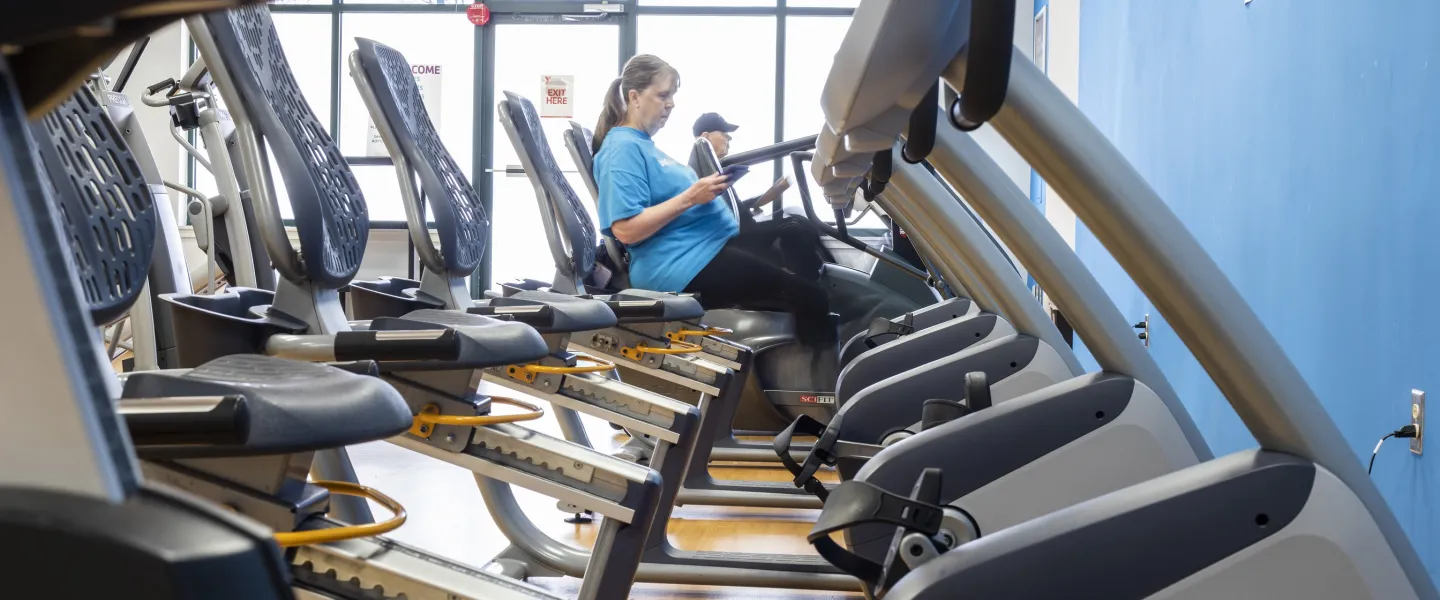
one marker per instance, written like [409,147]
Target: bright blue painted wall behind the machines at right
[1300,140]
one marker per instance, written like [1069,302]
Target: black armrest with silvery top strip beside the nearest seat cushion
[186,421]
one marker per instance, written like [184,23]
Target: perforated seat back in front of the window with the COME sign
[460,218]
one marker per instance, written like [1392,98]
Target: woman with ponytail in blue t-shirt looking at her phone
[682,237]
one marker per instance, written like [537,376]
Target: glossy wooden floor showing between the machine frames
[447,517]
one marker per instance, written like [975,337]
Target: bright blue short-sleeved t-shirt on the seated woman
[633,175]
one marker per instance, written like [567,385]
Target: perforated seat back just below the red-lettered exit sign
[572,235]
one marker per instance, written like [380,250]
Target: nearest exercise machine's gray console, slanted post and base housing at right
[1297,519]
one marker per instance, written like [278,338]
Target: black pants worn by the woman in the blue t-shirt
[773,267]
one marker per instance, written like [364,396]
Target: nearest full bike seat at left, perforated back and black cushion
[287,406]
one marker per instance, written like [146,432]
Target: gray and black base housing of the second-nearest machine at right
[1035,454]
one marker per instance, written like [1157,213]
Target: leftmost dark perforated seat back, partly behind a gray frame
[106,209]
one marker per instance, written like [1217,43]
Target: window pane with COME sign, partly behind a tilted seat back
[443,48]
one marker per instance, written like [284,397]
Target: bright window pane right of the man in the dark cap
[810,51]
